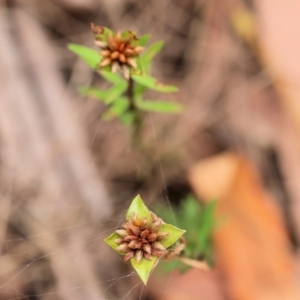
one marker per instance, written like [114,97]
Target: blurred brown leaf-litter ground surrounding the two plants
[67,176]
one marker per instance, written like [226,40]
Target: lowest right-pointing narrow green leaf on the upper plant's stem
[160,106]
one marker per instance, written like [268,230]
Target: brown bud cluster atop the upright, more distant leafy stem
[116,51]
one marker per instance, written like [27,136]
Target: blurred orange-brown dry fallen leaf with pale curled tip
[253,250]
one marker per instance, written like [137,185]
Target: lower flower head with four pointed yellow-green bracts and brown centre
[144,238]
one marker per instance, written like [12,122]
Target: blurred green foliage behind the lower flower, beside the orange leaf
[199,223]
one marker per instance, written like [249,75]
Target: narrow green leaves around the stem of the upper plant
[123,90]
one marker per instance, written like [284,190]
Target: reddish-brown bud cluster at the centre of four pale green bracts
[140,239]
